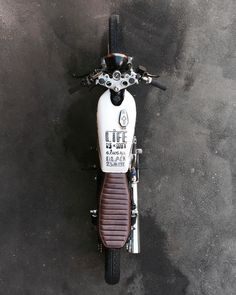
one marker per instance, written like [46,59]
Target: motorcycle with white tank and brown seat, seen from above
[117,215]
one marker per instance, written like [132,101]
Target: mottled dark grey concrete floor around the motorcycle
[188,185]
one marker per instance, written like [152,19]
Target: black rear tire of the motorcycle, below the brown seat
[112,266]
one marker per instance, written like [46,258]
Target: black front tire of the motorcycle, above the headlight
[114,34]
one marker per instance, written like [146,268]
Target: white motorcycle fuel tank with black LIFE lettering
[116,125]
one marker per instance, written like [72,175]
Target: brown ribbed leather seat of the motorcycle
[114,210]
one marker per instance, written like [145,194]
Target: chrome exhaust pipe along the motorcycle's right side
[133,244]
